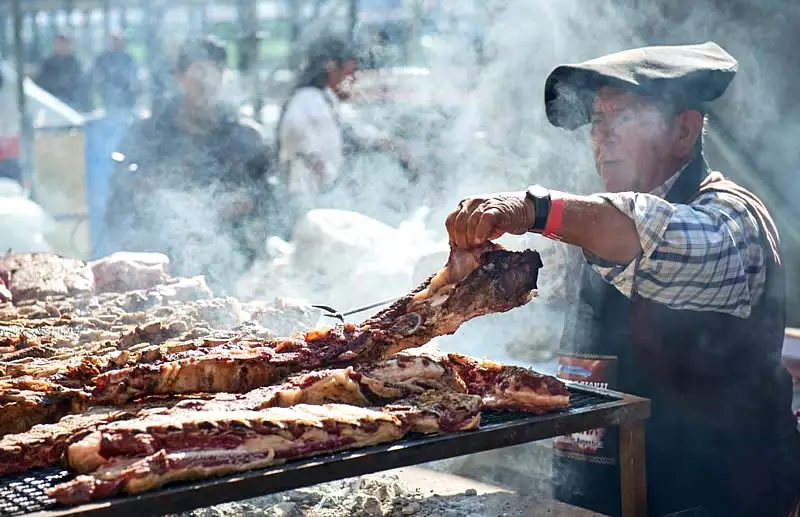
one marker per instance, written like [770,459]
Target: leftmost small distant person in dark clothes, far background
[61,75]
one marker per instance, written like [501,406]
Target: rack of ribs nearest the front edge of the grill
[141,454]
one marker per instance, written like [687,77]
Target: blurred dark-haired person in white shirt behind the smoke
[312,140]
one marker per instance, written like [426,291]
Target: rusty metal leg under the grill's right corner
[634,480]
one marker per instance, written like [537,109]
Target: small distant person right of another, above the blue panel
[115,76]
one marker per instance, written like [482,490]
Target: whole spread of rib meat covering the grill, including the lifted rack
[134,379]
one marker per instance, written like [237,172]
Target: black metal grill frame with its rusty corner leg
[600,408]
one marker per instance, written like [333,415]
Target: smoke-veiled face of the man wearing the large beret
[631,141]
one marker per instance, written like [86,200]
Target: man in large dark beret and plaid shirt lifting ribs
[682,294]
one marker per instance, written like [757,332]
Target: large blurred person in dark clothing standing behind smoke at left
[191,181]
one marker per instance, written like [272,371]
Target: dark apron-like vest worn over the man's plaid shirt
[722,436]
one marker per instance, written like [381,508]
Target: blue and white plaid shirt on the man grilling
[705,256]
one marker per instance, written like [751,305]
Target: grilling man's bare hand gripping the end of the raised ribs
[484,218]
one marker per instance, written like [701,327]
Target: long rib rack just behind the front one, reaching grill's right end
[390,383]
